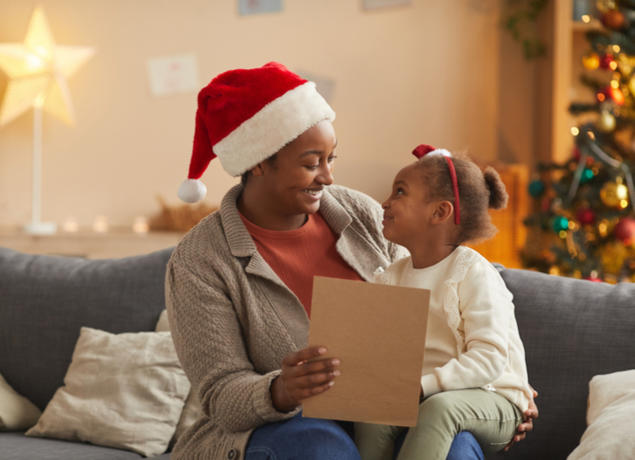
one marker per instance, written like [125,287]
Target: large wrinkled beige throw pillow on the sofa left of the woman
[121,390]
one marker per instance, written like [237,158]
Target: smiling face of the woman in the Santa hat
[296,178]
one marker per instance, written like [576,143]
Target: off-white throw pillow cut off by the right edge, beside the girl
[611,423]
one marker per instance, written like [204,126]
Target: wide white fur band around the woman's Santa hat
[273,127]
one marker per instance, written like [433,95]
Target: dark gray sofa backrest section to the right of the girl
[572,330]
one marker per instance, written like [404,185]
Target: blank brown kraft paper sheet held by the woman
[378,332]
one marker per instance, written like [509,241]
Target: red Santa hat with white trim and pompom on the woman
[244,116]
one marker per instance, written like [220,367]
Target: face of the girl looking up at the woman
[408,210]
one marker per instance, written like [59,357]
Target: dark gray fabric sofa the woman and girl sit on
[571,329]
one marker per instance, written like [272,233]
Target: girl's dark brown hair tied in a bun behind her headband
[478,191]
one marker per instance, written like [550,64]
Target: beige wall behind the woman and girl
[430,72]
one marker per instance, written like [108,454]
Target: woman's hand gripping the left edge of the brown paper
[303,376]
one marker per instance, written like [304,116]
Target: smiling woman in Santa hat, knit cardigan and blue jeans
[238,286]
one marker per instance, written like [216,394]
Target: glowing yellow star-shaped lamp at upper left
[38,68]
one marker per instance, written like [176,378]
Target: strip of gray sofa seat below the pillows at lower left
[16,446]
